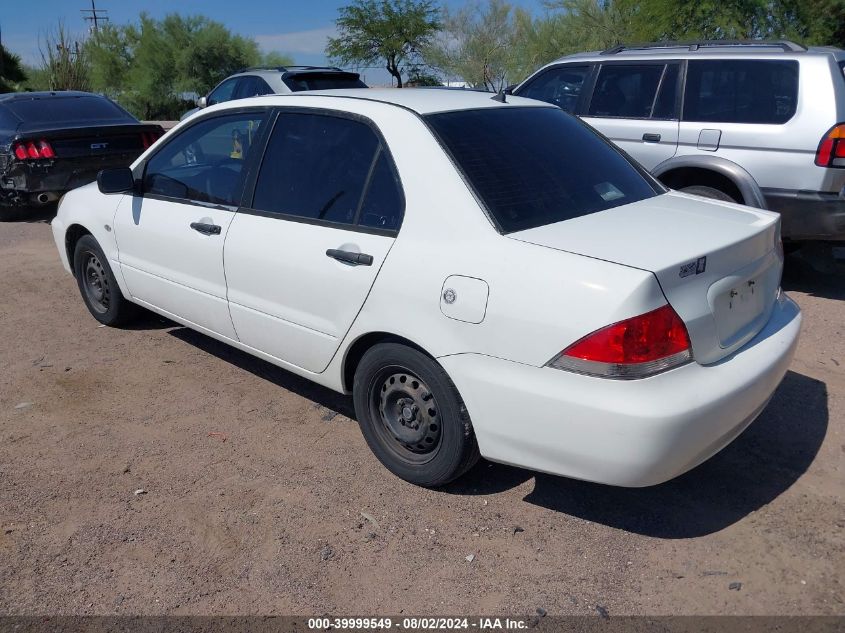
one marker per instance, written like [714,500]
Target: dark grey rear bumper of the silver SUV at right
[809,215]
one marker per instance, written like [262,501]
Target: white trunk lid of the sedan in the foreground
[716,262]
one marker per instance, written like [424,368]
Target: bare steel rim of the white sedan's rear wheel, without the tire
[408,416]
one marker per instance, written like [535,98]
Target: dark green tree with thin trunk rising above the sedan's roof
[392,32]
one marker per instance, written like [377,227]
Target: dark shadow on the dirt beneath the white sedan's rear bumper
[751,472]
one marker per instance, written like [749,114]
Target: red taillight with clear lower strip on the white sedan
[637,347]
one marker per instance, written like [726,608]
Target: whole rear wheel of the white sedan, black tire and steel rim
[432,445]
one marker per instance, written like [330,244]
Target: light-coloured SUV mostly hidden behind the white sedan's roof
[254,82]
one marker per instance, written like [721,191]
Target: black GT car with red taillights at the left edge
[51,142]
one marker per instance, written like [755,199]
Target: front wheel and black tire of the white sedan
[98,286]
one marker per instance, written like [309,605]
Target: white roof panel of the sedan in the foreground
[417,100]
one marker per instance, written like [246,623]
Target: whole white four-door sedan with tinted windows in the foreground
[485,278]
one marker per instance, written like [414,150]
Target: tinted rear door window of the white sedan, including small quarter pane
[328,169]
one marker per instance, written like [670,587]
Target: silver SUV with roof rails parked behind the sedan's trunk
[761,123]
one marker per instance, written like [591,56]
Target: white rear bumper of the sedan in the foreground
[624,433]
